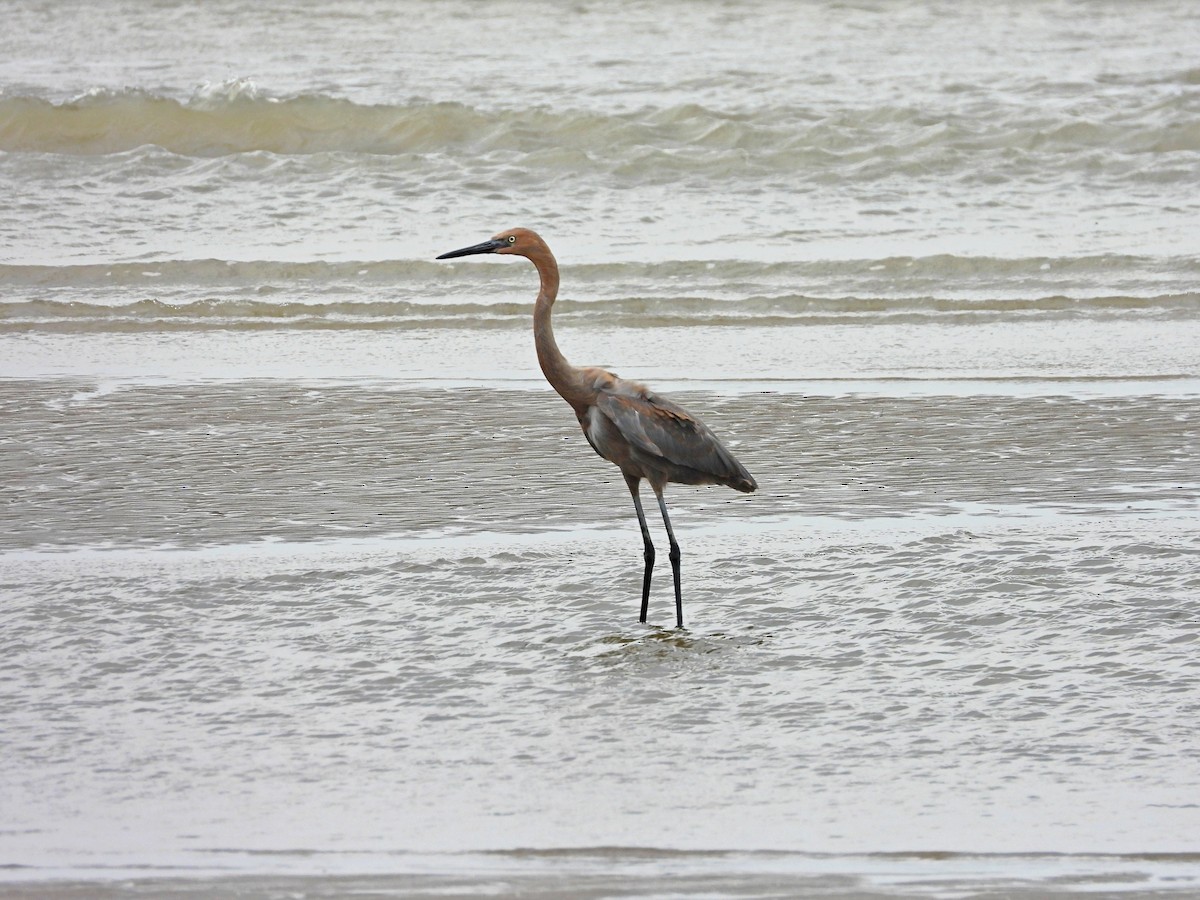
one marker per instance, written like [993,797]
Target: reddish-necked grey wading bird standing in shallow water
[643,434]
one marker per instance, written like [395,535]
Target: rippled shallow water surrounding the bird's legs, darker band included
[296,621]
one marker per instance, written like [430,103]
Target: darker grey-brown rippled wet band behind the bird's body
[197,465]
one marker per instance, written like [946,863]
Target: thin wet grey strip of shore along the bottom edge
[601,873]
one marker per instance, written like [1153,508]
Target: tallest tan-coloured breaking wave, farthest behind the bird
[237,118]
